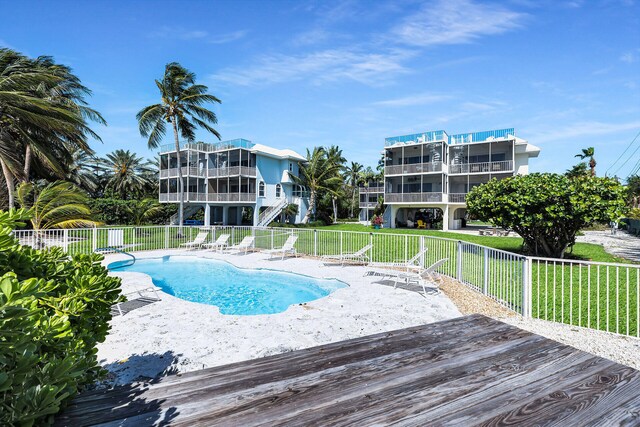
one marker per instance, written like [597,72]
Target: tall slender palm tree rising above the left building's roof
[182,106]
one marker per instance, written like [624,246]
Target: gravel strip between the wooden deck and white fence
[621,349]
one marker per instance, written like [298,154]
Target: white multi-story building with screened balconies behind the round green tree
[428,175]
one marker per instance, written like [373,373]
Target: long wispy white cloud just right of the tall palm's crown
[326,65]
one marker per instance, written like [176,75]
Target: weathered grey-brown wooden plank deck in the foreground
[466,371]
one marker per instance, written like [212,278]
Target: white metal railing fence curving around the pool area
[595,295]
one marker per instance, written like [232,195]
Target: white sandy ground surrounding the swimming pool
[173,335]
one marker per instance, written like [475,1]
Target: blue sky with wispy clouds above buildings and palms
[565,74]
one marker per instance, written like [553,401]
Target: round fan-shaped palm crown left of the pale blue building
[126,173]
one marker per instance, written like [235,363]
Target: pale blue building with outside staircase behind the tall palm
[236,182]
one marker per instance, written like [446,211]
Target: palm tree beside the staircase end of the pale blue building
[317,174]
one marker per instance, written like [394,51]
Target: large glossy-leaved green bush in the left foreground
[54,310]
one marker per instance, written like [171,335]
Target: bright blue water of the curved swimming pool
[233,290]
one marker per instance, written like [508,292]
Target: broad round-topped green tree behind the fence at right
[547,210]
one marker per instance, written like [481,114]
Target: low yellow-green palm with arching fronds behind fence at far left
[59,204]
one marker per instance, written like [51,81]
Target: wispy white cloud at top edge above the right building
[455,22]
